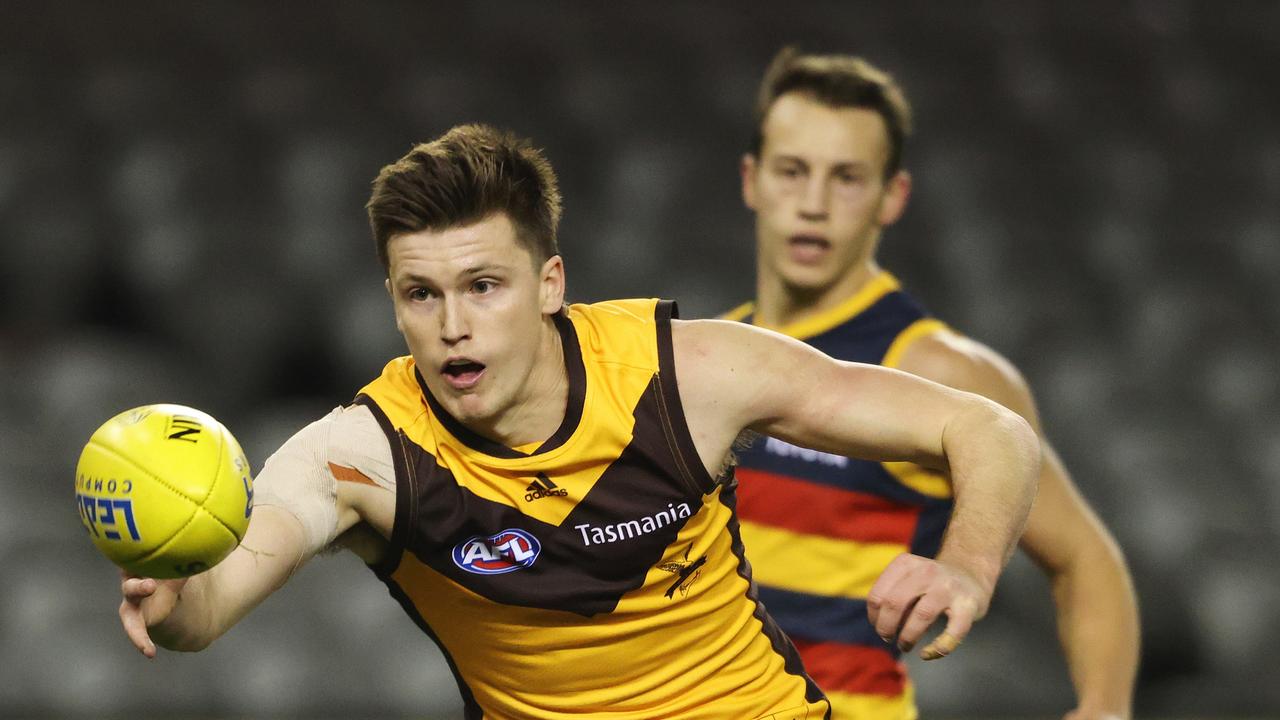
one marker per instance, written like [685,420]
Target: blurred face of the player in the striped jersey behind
[819,192]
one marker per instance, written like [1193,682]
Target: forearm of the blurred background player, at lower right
[1098,622]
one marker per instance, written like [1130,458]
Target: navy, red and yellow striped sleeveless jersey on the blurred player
[821,528]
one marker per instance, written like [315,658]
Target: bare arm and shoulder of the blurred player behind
[1098,612]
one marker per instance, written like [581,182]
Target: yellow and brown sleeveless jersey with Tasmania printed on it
[597,576]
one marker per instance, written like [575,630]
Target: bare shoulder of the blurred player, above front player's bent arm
[952,359]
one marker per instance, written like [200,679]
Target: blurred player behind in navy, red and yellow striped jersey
[825,177]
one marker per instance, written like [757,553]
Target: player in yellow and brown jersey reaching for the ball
[542,487]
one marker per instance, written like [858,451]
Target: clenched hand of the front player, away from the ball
[913,593]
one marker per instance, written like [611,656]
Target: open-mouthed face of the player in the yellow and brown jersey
[470,303]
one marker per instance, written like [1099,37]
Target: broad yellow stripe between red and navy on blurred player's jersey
[817,564]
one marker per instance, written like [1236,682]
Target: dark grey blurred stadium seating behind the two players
[181,220]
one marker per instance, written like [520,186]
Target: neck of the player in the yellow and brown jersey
[541,408]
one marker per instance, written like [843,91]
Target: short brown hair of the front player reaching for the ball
[463,177]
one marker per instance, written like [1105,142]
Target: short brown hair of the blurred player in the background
[838,81]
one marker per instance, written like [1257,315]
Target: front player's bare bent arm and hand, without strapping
[735,377]
